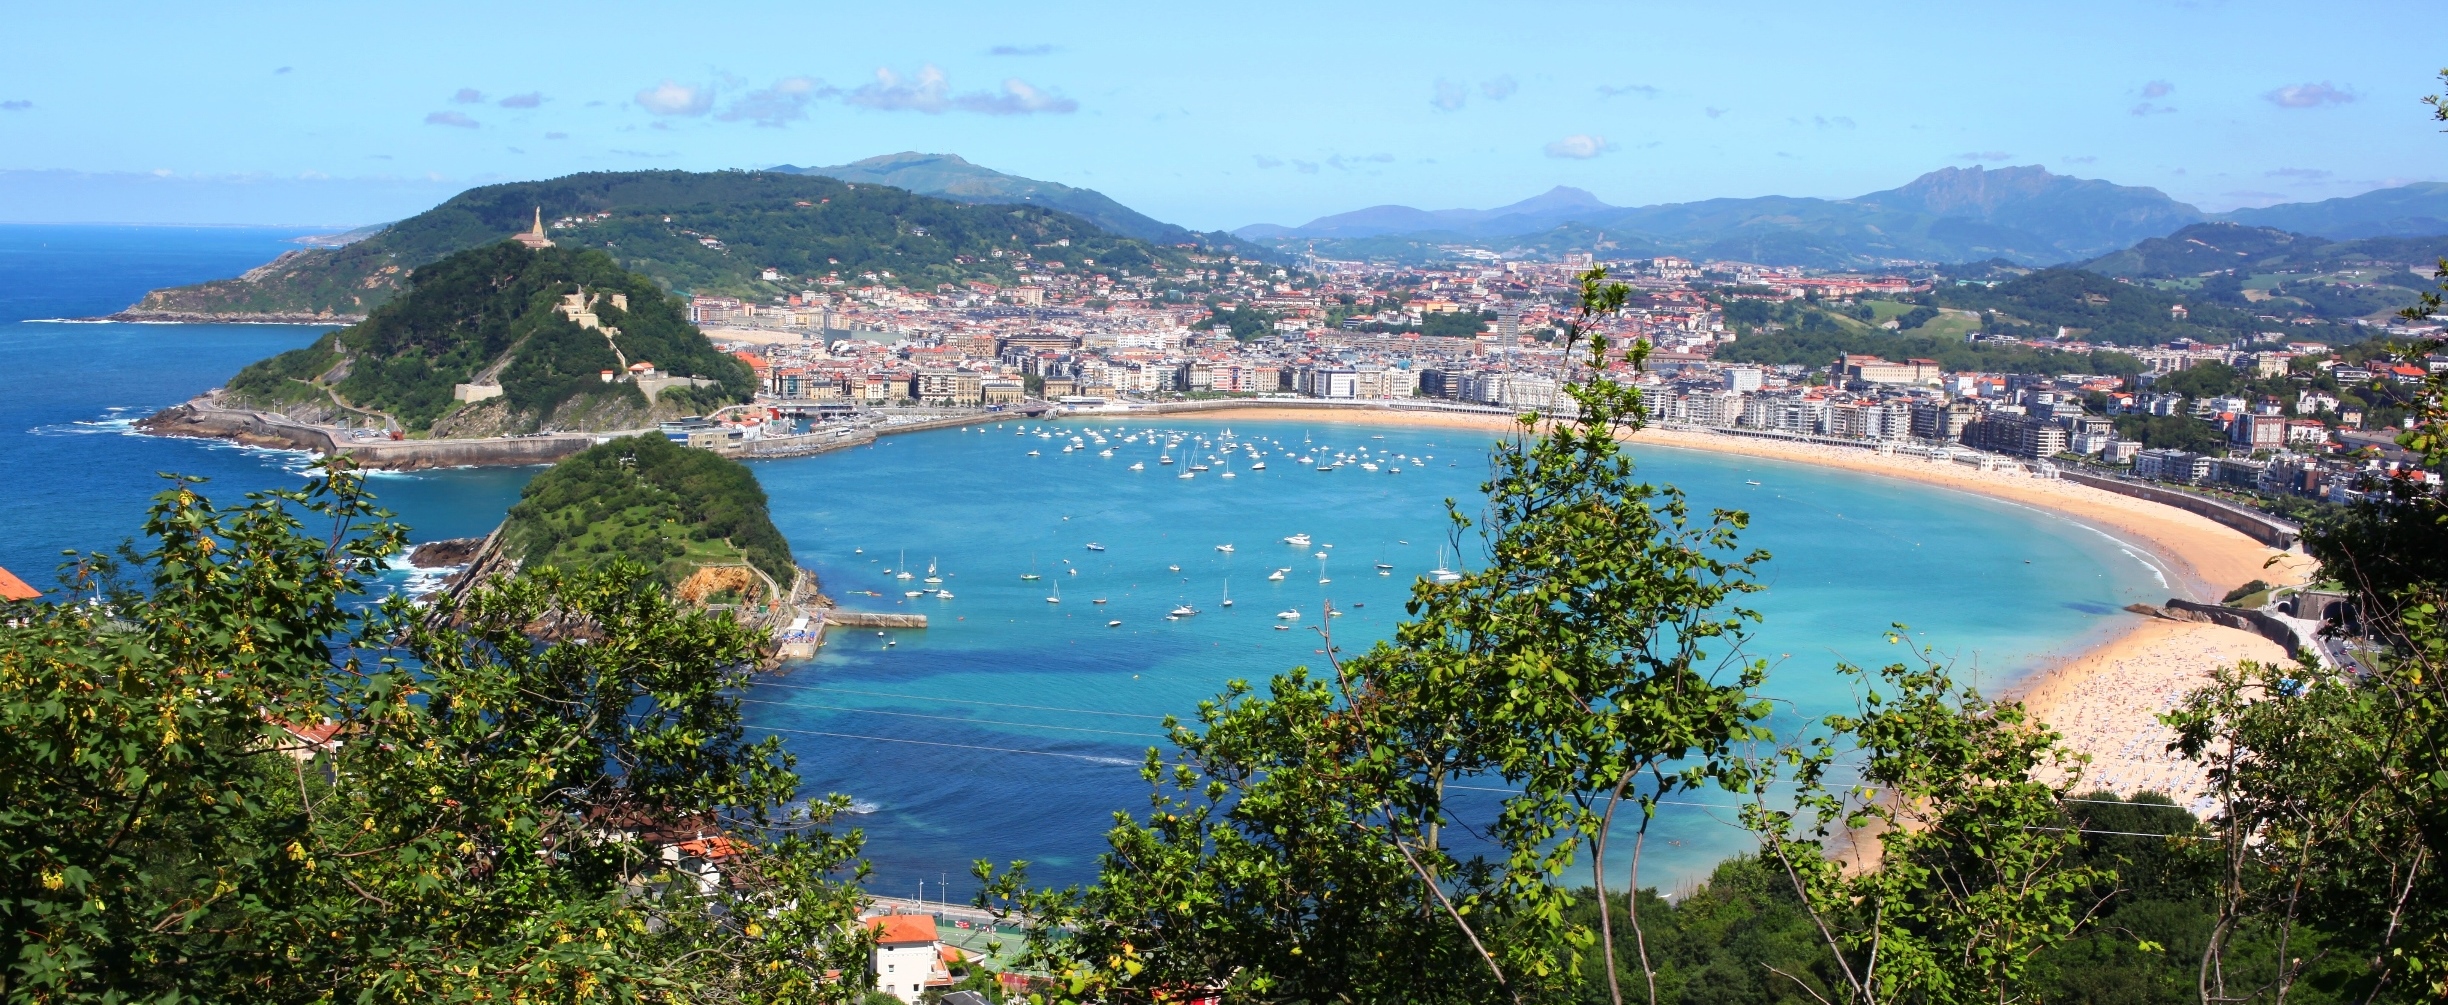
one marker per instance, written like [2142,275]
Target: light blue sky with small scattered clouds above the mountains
[1208,116]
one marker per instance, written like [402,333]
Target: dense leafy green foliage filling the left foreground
[461,808]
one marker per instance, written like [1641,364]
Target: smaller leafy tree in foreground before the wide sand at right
[1930,842]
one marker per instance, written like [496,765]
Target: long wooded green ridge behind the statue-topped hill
[696,234]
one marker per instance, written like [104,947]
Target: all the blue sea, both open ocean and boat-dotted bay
[1017,723]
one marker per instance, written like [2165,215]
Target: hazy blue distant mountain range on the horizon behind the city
[2021,214]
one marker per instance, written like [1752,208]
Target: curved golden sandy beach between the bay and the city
[2109,698]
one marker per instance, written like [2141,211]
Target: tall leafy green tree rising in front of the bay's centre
[1299,845]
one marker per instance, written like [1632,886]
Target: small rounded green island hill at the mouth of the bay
[652,502]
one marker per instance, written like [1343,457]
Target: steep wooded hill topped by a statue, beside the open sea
[498,317]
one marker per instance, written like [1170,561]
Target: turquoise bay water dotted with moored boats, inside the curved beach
[1012,727]
